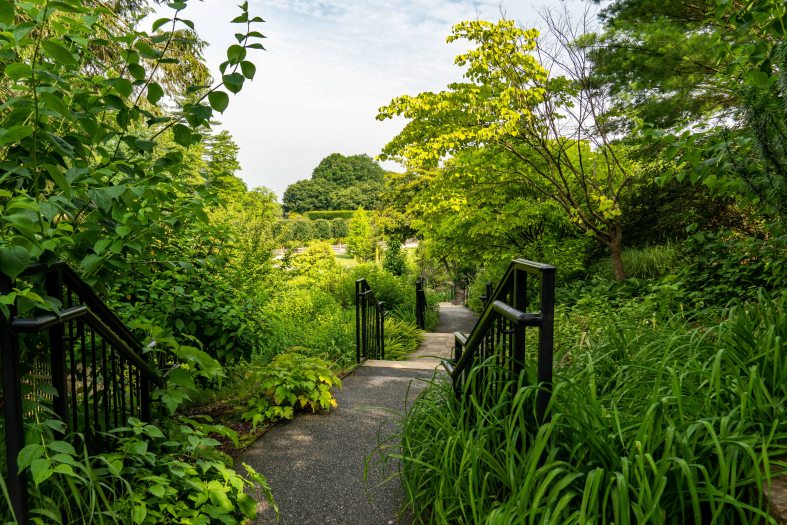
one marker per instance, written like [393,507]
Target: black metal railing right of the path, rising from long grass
[500,335]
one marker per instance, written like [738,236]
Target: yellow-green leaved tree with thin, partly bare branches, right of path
[546,128]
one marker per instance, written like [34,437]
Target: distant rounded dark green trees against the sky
[337,183]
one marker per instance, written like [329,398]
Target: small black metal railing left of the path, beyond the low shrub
[369,323]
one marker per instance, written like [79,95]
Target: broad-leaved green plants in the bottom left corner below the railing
[152,475]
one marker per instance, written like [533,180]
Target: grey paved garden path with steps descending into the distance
[327,468]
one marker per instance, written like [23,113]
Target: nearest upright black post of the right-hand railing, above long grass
[546,343]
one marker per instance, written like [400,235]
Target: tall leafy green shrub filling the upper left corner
[97,121]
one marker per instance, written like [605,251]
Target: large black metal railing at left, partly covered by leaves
[91,360]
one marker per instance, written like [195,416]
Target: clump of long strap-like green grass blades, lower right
[670,424]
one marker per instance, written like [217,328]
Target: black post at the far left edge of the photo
[12,409]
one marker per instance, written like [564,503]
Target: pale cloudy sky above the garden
[328,67]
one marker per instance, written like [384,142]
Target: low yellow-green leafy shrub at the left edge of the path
[291,382]
